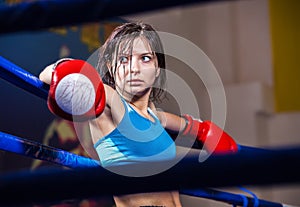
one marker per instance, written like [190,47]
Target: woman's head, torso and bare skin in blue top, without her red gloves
[131,64]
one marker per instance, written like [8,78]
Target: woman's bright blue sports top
[135,139]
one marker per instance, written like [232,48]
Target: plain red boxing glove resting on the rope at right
[214,139]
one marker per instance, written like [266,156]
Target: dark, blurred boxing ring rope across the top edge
[34,15]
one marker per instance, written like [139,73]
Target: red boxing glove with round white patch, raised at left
[76,91]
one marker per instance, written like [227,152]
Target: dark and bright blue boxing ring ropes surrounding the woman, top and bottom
[273,164]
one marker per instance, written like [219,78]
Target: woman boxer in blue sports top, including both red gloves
[127,128]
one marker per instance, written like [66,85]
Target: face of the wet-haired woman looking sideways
[136,69]
